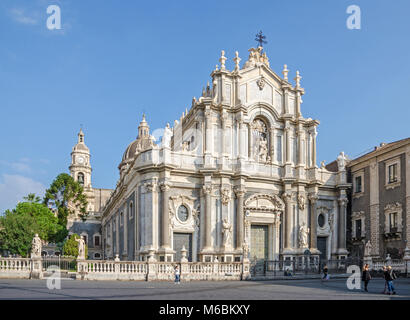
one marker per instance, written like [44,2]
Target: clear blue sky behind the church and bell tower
[113,60]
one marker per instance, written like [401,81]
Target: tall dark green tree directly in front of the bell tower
[66,196]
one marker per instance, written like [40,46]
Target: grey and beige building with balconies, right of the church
[380,201]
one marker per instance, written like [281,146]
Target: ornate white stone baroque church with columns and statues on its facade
[235,177]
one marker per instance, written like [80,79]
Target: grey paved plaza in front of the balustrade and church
[309,289]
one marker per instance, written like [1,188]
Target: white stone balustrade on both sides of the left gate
[131,270]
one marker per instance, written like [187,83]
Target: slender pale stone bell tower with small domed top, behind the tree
[80,168]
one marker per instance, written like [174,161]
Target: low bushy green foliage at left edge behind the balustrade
[18,226]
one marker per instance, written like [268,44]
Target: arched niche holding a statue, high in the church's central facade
[260,140]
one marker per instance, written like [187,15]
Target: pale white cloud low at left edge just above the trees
[14,187]
